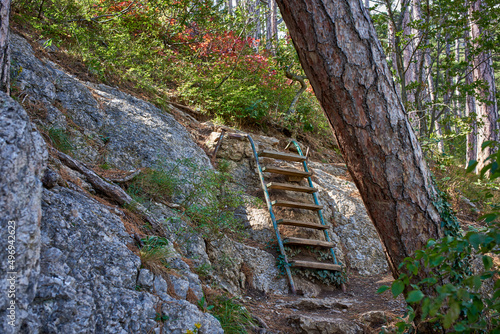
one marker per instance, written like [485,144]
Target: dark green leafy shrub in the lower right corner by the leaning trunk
[458,294]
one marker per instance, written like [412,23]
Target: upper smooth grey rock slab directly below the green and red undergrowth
[104,125]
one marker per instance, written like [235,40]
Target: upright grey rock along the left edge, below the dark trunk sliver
[22,162]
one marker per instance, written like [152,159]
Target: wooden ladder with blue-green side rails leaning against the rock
[305,173]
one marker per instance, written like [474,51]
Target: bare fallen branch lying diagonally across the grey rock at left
[112,191]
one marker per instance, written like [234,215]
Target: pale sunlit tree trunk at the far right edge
[486,104]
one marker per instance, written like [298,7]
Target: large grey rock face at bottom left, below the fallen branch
[90,282]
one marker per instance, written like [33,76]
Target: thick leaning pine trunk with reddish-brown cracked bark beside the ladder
[339,51]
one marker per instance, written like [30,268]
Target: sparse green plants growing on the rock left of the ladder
[205,196]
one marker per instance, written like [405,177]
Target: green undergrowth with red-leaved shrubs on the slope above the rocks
[189,51]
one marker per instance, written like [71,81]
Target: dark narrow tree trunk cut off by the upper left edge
[4,46]
